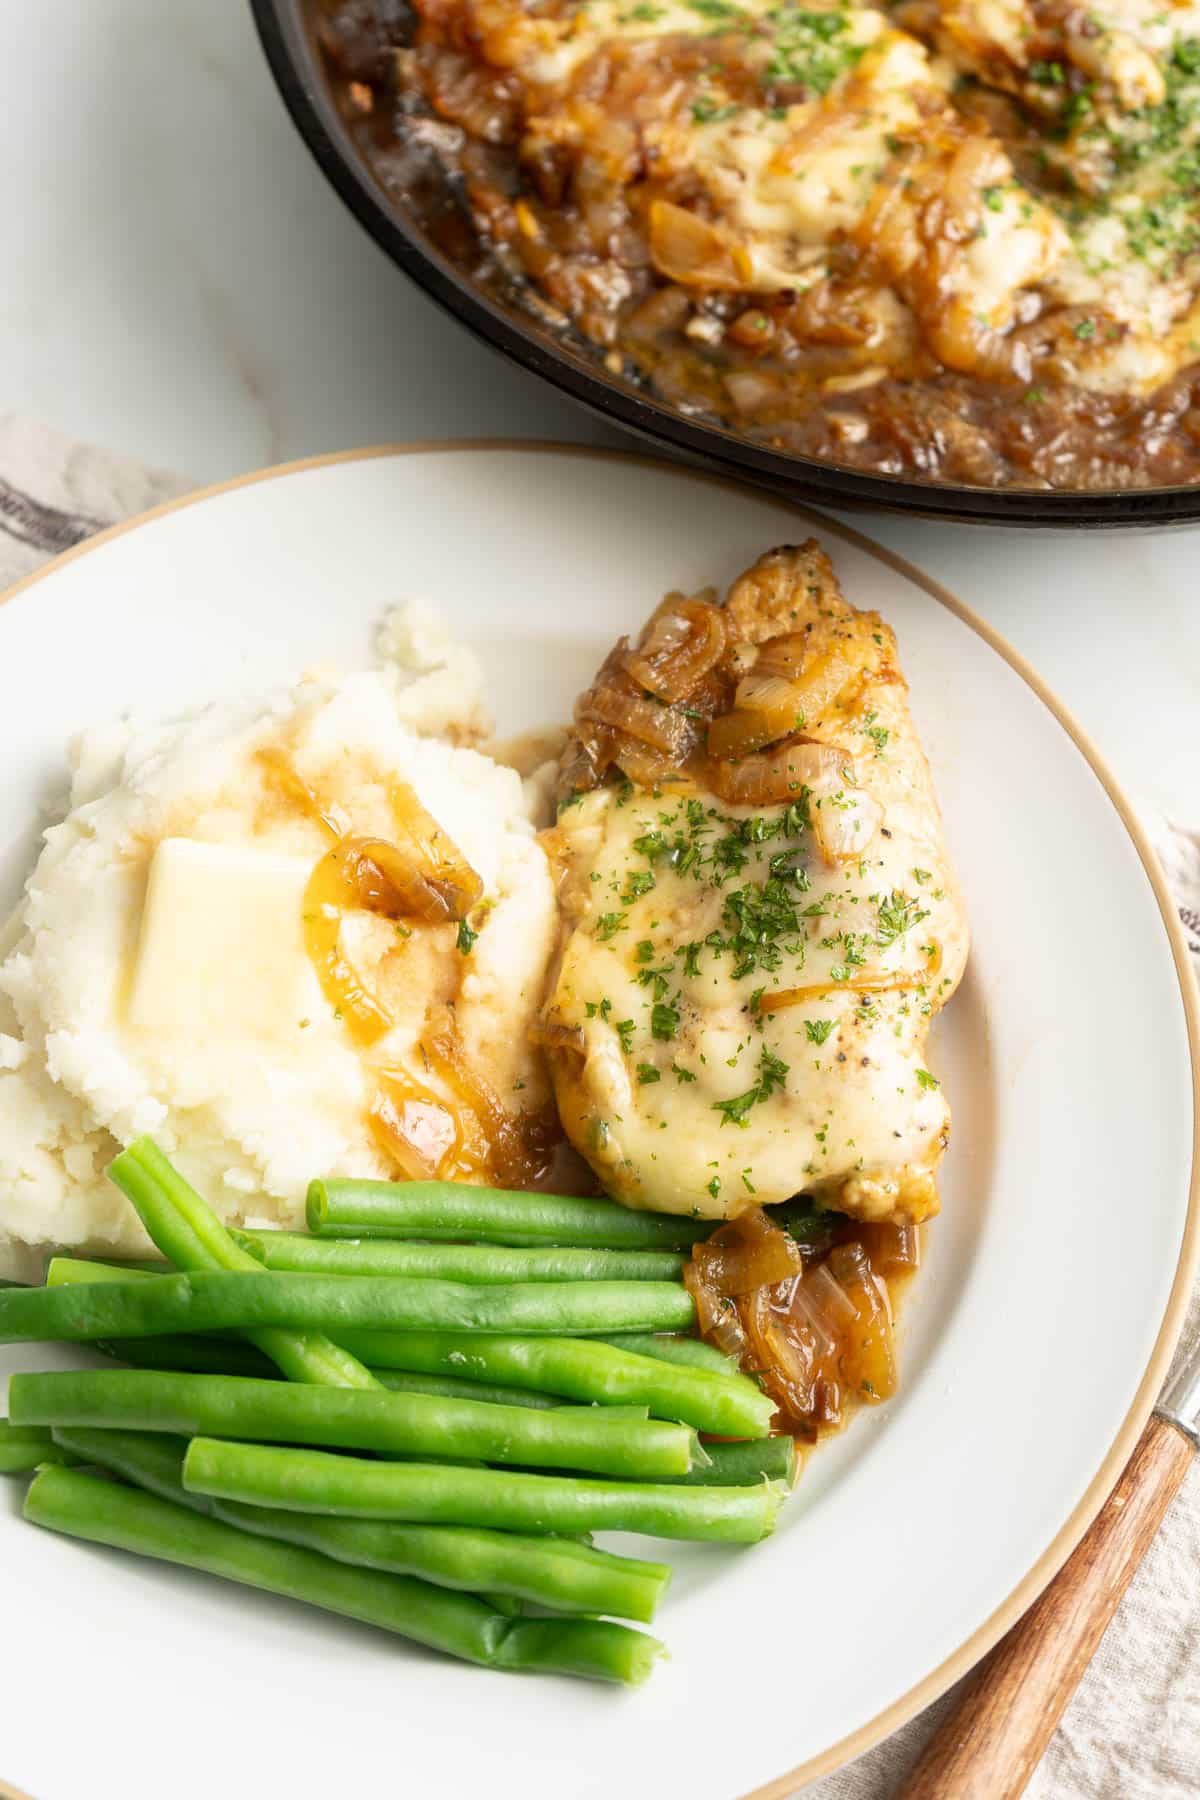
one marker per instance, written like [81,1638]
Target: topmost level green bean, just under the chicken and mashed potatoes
[494,1216]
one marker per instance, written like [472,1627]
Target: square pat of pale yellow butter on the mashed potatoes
[222,946]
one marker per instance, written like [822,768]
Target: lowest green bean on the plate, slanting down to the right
[82,1506]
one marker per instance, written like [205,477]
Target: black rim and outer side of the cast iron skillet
[510,328]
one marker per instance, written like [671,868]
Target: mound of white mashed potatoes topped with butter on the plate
[156,976]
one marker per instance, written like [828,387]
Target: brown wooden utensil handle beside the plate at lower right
[998,1734]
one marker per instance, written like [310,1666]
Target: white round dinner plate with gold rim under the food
[1039,1327]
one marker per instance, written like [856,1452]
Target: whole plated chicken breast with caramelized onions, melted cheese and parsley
[758,912]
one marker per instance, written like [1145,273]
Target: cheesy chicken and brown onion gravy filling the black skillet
[949,240]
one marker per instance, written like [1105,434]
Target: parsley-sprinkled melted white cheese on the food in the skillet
[787,184]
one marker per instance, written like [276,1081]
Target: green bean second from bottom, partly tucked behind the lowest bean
[544,1570]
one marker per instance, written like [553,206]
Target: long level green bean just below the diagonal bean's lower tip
[569,1437]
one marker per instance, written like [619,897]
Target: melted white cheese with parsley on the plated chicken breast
[739,1018]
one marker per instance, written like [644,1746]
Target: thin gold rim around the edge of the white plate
[1120,1452]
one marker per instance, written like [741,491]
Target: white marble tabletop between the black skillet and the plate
[181,283]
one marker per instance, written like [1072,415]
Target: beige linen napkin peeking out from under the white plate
[1133,1731]
